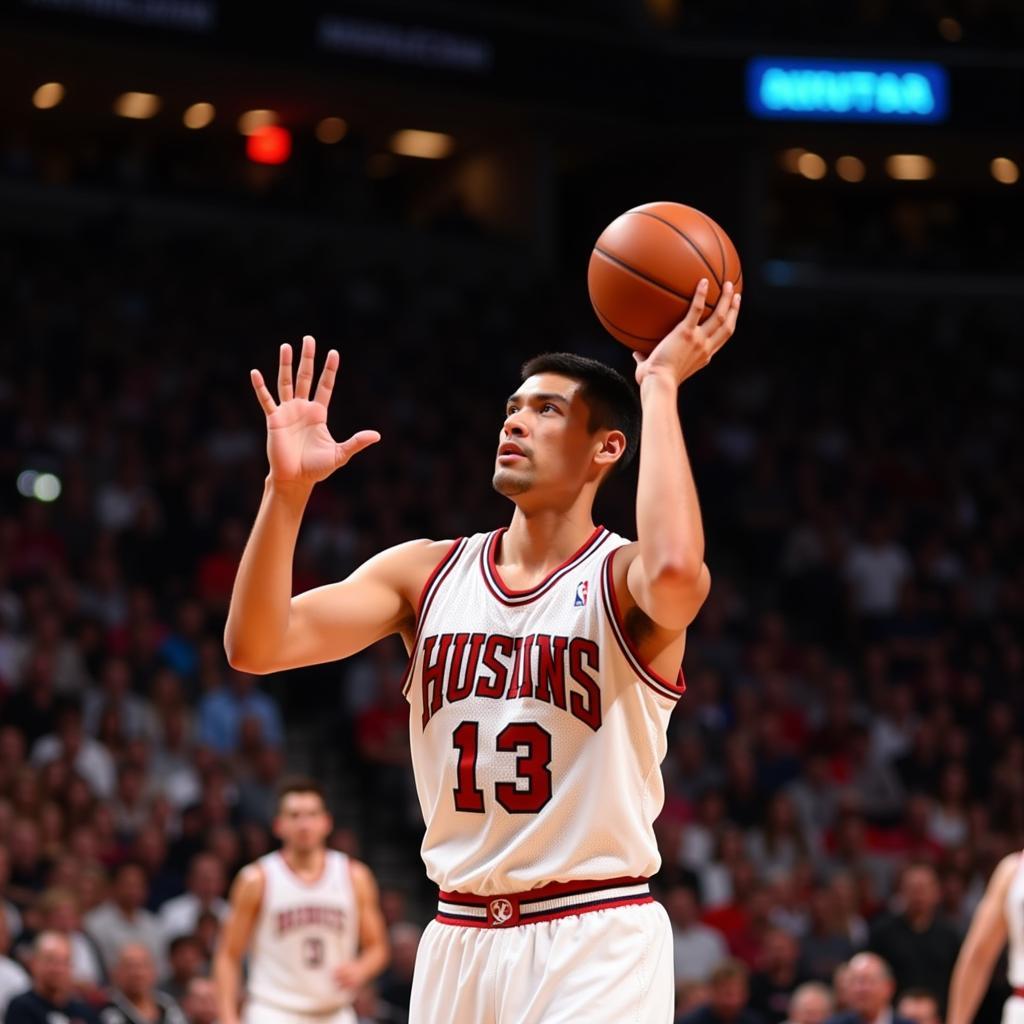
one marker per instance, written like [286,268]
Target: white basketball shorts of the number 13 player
[609,966]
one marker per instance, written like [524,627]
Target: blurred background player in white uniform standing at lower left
[311,920]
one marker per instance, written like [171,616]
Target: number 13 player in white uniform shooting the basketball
[545,663]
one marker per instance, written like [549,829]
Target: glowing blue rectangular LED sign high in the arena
[807,90]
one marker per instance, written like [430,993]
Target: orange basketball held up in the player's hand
[647,267]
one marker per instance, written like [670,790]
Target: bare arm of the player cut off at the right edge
[983,947]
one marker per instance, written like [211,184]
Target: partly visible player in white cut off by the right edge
[1000,915]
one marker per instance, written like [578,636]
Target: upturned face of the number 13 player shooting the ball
[545,442]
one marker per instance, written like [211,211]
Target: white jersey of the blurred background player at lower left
[304,932]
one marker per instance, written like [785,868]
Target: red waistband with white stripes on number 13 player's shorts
[547,904]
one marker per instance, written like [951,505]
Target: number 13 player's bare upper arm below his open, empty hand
[342,619]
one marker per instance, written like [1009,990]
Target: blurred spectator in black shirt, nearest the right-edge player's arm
[918,945]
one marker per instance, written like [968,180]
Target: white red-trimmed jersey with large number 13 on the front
[537,733]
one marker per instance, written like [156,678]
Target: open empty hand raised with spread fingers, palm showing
[300,446]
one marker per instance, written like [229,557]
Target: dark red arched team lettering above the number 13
[558,670]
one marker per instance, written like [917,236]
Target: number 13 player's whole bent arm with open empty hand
[268,630]
